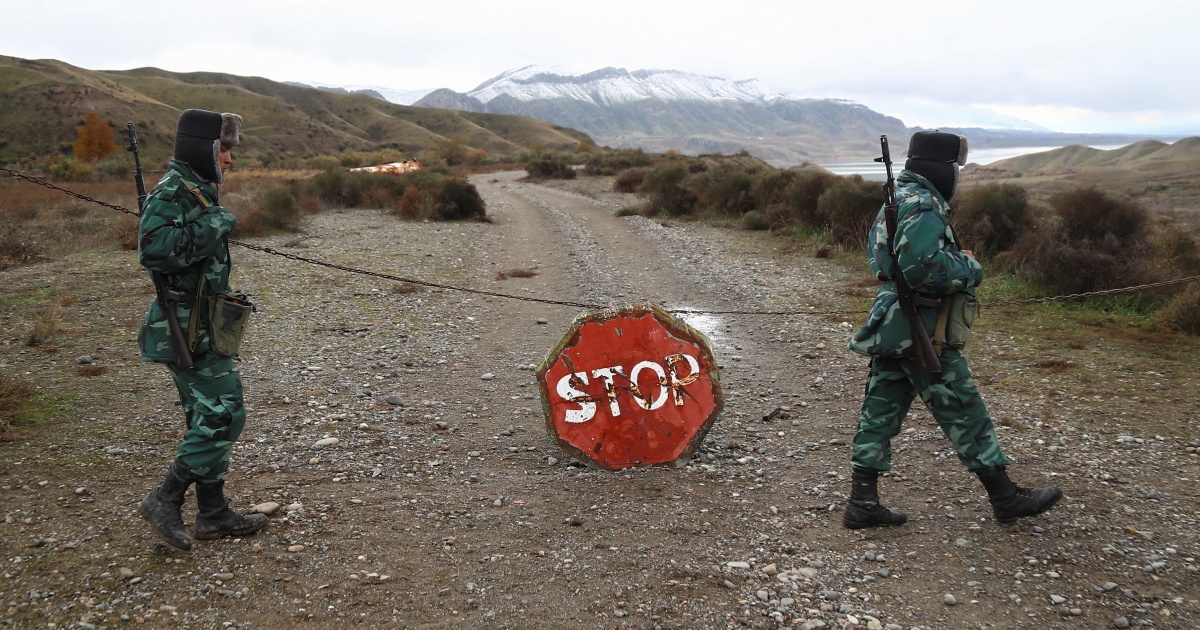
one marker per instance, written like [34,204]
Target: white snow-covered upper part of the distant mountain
[613,86]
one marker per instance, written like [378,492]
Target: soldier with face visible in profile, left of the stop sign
[183,236]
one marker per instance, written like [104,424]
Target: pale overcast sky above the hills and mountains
[1096,67]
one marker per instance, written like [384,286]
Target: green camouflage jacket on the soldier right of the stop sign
[928,255]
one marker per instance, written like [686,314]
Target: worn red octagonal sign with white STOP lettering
[631,387]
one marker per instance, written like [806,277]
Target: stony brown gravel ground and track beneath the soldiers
[397,439]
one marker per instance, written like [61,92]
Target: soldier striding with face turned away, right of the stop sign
[932,261]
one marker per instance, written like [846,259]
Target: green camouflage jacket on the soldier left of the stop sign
[183,233]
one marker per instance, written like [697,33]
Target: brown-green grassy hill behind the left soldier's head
[44,101]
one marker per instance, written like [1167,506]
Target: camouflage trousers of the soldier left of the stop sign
[213,404]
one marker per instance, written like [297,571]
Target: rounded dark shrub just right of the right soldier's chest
[991,218]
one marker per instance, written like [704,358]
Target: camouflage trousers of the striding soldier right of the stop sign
[951,397]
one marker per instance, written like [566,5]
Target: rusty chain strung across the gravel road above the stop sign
[575,304]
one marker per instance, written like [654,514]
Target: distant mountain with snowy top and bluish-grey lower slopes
[662,111]
